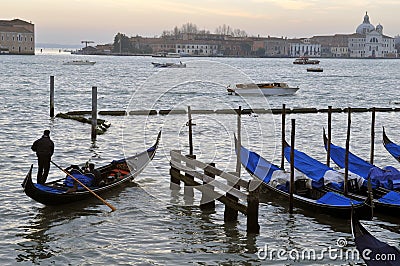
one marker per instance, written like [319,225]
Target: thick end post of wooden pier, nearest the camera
[253,203]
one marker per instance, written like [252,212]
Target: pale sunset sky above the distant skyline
[71,21]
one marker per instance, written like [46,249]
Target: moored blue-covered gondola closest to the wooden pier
[330,203]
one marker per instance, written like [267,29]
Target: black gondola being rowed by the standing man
[114,174]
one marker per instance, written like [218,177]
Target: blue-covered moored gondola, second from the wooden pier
[328,179]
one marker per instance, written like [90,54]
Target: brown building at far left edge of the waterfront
[17,37]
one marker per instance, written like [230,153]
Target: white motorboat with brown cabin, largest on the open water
[267,89]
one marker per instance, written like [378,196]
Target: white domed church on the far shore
[370,42]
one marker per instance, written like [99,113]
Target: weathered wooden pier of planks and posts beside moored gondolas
[237,194]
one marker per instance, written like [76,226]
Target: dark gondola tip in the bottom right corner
[373,251]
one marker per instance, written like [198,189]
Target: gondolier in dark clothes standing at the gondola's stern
[44,148]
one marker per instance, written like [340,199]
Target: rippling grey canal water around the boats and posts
[152,225]
